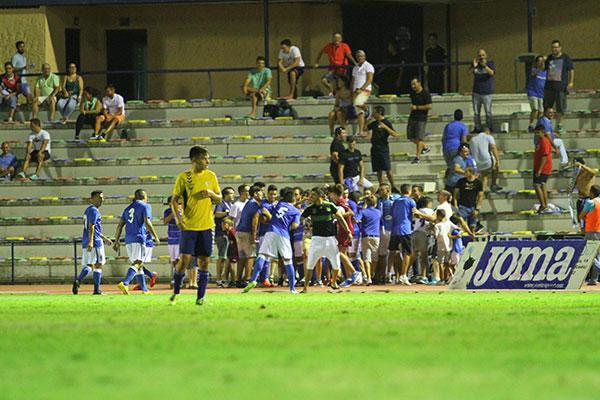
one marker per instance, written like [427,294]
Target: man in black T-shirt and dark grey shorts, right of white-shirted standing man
[421,104]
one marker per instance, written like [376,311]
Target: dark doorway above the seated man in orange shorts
[127,51]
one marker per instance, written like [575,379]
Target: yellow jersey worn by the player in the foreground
[197,211]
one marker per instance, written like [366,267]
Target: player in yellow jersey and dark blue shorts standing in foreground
[198,188]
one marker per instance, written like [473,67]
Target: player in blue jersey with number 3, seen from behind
[135,216]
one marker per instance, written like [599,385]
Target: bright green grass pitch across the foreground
[261,345]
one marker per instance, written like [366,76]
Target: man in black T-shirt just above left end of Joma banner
[468,196]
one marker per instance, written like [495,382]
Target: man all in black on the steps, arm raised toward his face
[381,129]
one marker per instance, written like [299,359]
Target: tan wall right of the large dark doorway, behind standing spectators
[501,28]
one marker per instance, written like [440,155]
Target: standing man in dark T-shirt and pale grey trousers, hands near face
[483,88]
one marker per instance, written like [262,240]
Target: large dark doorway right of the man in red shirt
[399,24]
